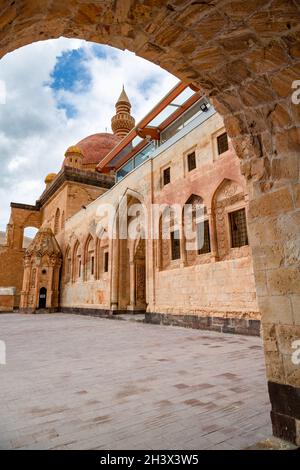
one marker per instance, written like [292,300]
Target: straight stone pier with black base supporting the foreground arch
[274,221]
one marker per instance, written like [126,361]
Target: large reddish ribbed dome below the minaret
[97,146]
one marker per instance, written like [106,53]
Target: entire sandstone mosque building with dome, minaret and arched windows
[179,155]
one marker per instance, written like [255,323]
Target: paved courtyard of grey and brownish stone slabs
[74,382]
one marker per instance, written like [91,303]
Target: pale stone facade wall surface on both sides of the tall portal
[220,288]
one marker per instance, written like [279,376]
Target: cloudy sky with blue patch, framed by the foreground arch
[58,92]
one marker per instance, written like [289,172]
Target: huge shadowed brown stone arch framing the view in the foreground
[245,56]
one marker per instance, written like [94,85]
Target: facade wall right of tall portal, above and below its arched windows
[211,286]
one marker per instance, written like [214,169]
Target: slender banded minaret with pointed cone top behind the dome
[122,122]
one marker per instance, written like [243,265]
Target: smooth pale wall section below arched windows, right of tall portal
[223,288]
